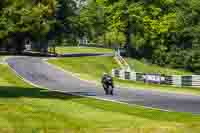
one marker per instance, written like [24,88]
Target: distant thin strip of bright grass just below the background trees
[64,50]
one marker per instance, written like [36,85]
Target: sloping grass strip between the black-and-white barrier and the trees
[140,66]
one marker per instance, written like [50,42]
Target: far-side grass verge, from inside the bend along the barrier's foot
[91,68]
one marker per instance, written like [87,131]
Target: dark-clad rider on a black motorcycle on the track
[107,82]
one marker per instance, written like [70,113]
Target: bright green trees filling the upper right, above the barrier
[166,32]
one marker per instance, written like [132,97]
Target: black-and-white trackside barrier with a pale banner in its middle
[175,80]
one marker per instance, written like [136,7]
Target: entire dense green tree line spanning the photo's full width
[166,32]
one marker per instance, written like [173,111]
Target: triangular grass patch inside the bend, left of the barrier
[88,67]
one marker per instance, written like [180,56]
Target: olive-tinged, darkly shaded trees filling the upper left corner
[40,20]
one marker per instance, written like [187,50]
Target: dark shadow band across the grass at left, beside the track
[15,92]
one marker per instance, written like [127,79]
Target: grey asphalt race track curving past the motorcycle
[37,71]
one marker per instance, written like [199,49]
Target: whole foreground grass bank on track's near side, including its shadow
[24,108]
